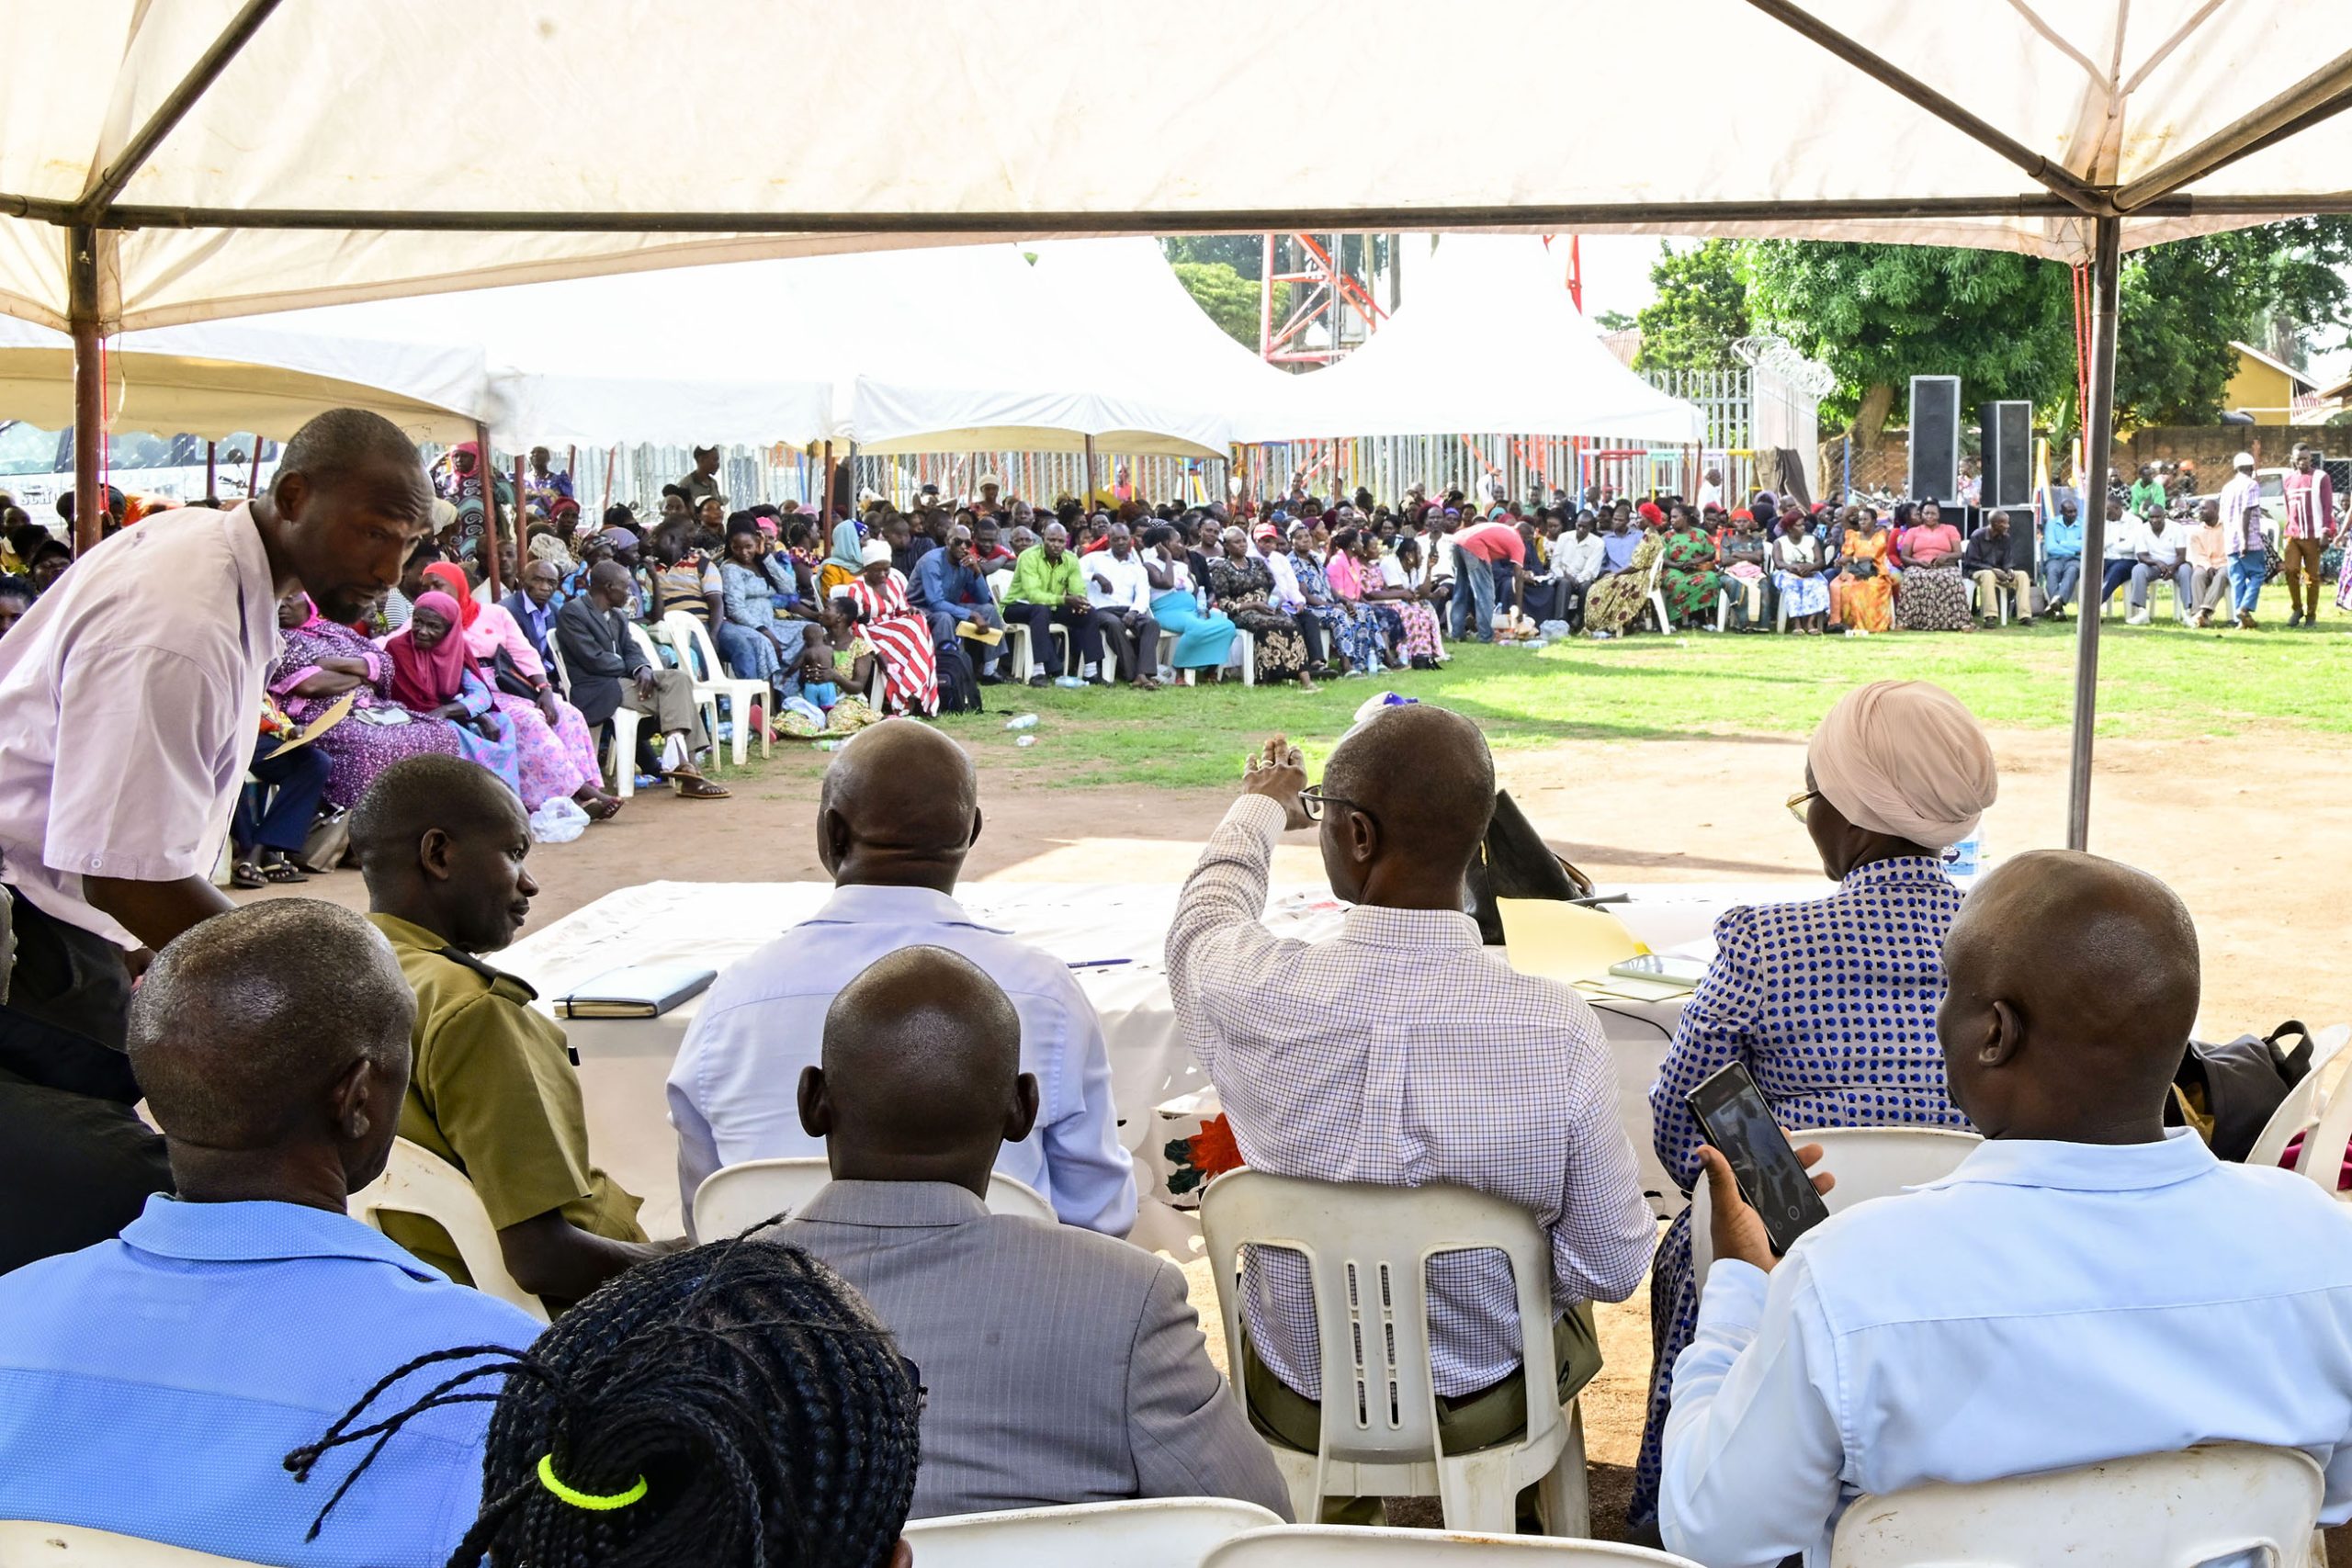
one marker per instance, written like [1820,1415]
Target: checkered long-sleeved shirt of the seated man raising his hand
[1405,1054]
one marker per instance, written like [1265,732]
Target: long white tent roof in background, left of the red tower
[907,351]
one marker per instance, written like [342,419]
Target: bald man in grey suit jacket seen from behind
[1057,1365]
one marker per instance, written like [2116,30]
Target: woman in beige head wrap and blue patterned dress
[1829,1003]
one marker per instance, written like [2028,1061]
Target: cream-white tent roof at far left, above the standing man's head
[218,380]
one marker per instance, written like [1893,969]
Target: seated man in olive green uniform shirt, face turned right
[495,1085]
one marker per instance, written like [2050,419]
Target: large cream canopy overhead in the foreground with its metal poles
[168,163]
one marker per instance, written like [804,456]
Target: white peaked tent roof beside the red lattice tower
[1488,342]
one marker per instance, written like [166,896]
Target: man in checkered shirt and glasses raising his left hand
[1403,1054]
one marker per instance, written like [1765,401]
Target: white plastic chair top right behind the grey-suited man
[1149,1534]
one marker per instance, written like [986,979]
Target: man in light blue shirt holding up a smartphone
[2085,1287]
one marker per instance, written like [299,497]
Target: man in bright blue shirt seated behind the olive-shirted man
[154,1386]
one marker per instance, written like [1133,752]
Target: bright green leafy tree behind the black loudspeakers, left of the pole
[1885,314]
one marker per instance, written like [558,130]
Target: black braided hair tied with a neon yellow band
[714,1409]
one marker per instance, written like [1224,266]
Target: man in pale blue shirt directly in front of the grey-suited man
[897,817]
